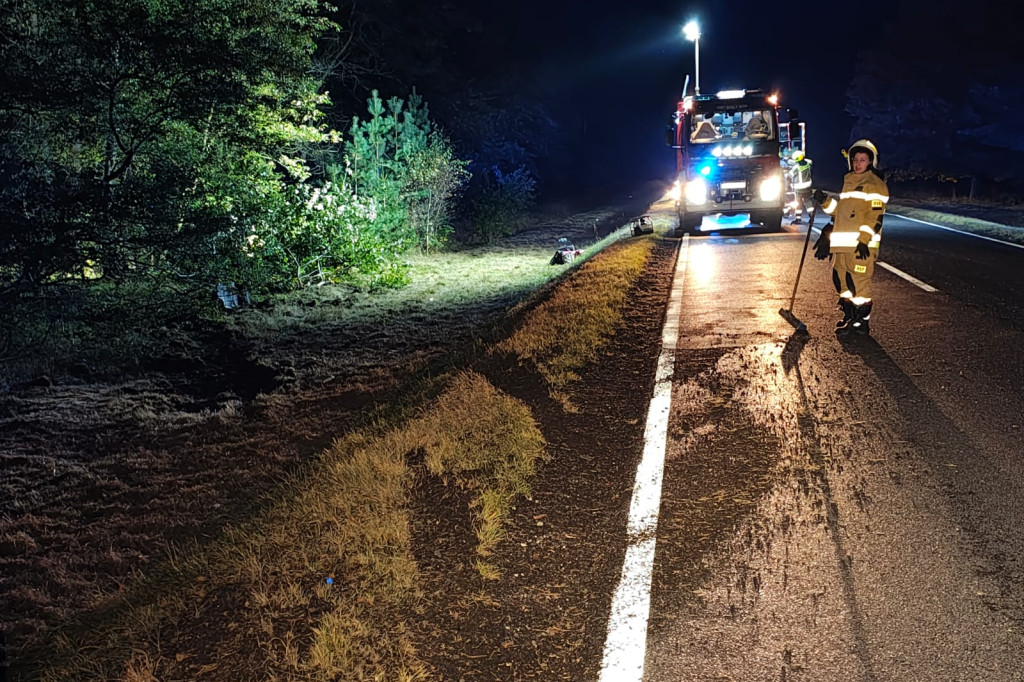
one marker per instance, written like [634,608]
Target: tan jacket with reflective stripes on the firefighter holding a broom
[858,212]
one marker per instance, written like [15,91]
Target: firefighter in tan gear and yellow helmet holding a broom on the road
[852,239]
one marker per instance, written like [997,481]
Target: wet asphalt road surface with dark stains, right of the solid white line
[856,507]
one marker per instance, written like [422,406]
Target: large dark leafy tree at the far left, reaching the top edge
[100,93]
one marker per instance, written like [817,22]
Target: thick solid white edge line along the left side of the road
[626,643]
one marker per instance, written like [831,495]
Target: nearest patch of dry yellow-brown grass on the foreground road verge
[317,583]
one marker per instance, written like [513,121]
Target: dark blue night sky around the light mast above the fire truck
[618,68]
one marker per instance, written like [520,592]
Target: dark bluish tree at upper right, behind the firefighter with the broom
[940,110]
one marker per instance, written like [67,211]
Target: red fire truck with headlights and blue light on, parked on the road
[731,153]
